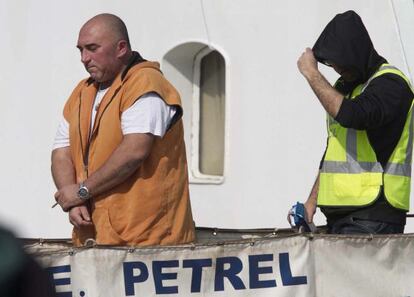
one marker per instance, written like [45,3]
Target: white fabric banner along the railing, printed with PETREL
[291,266]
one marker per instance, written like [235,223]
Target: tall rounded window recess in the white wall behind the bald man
[199,74]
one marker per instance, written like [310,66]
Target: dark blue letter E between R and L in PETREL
[255,271]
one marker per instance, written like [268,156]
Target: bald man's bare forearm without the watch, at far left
[63,171]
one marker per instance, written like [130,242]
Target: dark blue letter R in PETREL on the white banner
[235,268]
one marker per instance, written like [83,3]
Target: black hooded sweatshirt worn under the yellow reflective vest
[381,109]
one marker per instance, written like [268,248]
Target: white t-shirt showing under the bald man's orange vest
[149,114]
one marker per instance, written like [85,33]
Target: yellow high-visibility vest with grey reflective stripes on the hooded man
[351,174]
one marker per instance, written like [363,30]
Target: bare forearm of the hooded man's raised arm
[330,98]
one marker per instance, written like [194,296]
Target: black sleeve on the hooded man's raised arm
[382,101]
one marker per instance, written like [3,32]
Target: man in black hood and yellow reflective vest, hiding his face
[363,183]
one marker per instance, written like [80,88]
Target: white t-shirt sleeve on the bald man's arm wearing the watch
[149,114]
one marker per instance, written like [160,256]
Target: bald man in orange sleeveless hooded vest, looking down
[119,160]
